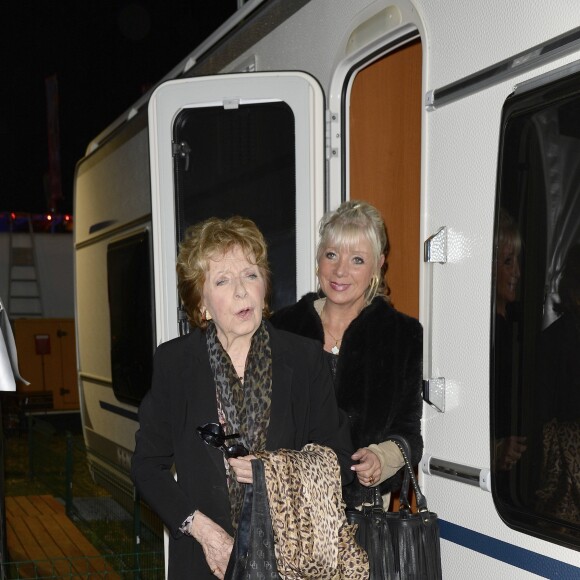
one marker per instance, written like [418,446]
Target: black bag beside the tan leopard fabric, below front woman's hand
[253,556]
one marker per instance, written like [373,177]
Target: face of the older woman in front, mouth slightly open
[233,294]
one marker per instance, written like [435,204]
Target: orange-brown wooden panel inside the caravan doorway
[385,160]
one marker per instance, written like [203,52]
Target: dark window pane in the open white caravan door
[241,161]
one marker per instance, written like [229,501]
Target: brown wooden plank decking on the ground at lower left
[45,542]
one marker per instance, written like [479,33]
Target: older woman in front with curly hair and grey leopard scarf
[234,374]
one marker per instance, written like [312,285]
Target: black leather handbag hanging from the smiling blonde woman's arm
[400,545]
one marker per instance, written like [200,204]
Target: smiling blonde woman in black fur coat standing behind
[375,352]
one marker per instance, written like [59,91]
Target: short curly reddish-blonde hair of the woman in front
[212,239]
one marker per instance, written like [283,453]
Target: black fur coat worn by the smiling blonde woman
[378,376]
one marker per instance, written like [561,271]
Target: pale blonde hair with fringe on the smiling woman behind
[345,226]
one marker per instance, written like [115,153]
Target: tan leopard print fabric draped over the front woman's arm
[312,537]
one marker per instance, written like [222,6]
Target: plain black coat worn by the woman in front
[183,397]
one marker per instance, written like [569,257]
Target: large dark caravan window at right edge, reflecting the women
[535,341]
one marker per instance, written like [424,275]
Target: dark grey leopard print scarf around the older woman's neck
[245,406]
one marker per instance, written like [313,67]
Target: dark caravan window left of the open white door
[131,317]
